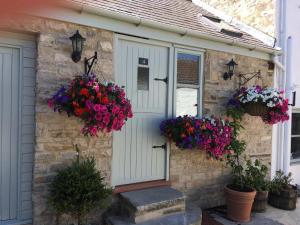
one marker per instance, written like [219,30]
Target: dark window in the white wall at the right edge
[295,142]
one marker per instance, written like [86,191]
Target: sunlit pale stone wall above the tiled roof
[259,14]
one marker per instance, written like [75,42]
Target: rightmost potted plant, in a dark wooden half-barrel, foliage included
[283,194]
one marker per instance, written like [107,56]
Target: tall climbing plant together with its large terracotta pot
[239,197]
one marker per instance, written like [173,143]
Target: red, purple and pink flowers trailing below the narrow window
[210,134]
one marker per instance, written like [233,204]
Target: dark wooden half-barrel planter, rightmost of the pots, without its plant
[286,199]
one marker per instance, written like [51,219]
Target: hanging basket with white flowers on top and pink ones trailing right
[268,103]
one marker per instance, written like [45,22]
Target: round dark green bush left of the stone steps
[78,189]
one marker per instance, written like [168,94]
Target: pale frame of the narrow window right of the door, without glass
[199,53]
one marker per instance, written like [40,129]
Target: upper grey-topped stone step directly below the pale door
[151,203]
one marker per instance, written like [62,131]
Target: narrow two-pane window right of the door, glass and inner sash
[188,91]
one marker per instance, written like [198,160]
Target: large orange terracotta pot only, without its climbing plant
[239,204]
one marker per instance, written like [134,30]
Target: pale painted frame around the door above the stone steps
[169,108]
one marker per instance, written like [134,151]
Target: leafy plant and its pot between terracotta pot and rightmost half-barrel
[256,174]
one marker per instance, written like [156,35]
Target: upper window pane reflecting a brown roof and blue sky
[188,68]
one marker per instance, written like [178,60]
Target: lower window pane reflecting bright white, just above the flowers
[186,101]
